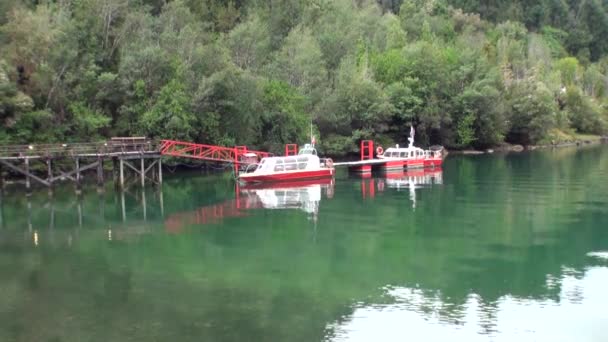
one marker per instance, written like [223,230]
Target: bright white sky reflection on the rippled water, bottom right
[424,315]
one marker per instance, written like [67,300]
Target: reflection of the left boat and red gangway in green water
[303,195]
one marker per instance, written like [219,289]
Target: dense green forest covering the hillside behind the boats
[464,73]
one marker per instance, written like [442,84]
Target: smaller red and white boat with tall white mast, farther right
[410,156]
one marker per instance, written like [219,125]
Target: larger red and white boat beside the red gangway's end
[303,166]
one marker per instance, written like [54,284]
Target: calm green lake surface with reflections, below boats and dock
[491,248]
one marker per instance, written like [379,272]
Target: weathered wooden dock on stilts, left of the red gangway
[73,161]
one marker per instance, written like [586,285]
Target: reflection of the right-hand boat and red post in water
[409,180]
